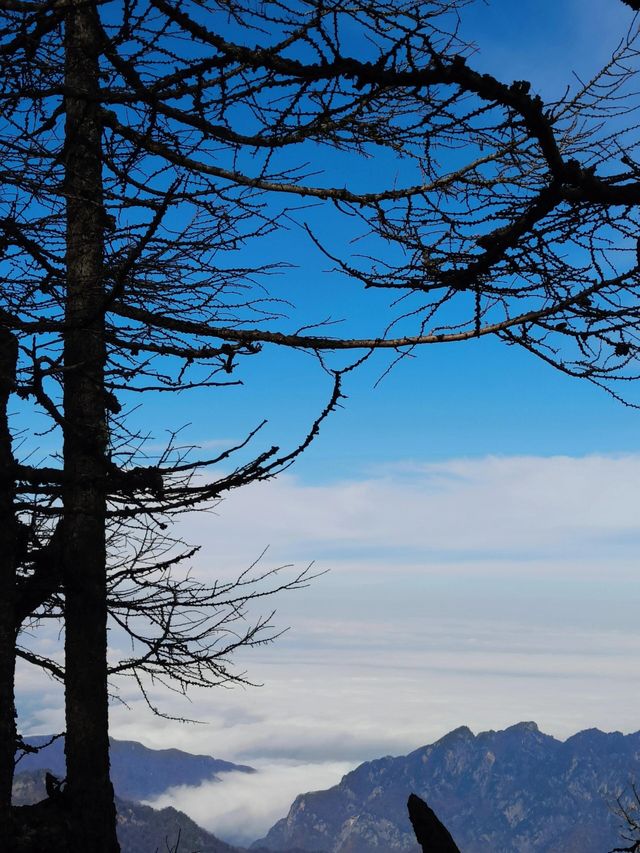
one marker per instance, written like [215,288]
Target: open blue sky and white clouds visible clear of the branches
[477,513]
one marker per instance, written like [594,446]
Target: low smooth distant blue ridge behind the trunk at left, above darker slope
[138,773]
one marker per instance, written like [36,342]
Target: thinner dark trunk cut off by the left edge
[8,531]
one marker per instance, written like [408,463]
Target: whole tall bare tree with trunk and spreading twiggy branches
[145,146]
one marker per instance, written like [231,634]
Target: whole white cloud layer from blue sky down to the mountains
[475,591]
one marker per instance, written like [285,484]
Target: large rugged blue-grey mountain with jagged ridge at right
[511,791]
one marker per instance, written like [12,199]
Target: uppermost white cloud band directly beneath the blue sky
[553,506]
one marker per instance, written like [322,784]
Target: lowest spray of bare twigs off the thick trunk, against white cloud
[171,628]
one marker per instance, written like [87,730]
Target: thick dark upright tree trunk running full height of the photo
[85,444]
